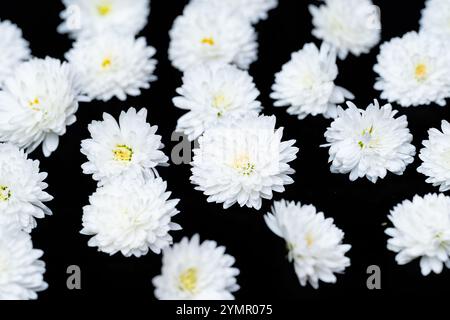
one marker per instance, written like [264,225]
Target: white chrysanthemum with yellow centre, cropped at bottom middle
[196,271]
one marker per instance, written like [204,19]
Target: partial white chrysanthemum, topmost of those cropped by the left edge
[13,49]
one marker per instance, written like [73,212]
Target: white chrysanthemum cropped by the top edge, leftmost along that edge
[87,18]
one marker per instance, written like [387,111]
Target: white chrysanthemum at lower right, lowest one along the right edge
[422,230]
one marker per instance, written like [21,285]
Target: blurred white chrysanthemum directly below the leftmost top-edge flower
[112,64]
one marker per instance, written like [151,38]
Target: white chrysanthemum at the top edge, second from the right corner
[348,25]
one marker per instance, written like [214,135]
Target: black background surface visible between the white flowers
[360,208]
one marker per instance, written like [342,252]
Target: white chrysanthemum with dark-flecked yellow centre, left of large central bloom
[127,147]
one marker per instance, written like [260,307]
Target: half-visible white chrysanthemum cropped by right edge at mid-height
[436,157]
